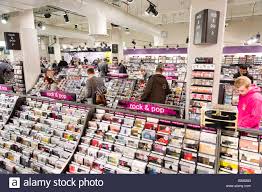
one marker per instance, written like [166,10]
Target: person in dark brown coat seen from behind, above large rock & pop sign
[157,88]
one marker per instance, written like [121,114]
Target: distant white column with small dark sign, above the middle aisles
[117,44]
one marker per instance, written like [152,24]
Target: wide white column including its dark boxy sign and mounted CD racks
[206,37]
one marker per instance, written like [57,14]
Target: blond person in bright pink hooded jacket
[250,103]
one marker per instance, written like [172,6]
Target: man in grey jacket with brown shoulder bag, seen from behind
[94,85]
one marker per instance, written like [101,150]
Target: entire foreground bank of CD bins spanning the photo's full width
[49,136]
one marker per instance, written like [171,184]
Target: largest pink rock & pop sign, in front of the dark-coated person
[148,108]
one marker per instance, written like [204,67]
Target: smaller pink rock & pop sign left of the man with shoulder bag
[60,95]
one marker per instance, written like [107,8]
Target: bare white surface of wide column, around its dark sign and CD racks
[207,50]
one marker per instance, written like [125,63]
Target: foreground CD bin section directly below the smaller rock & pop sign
[41,135]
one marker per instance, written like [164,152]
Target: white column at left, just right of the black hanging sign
[30,50]
